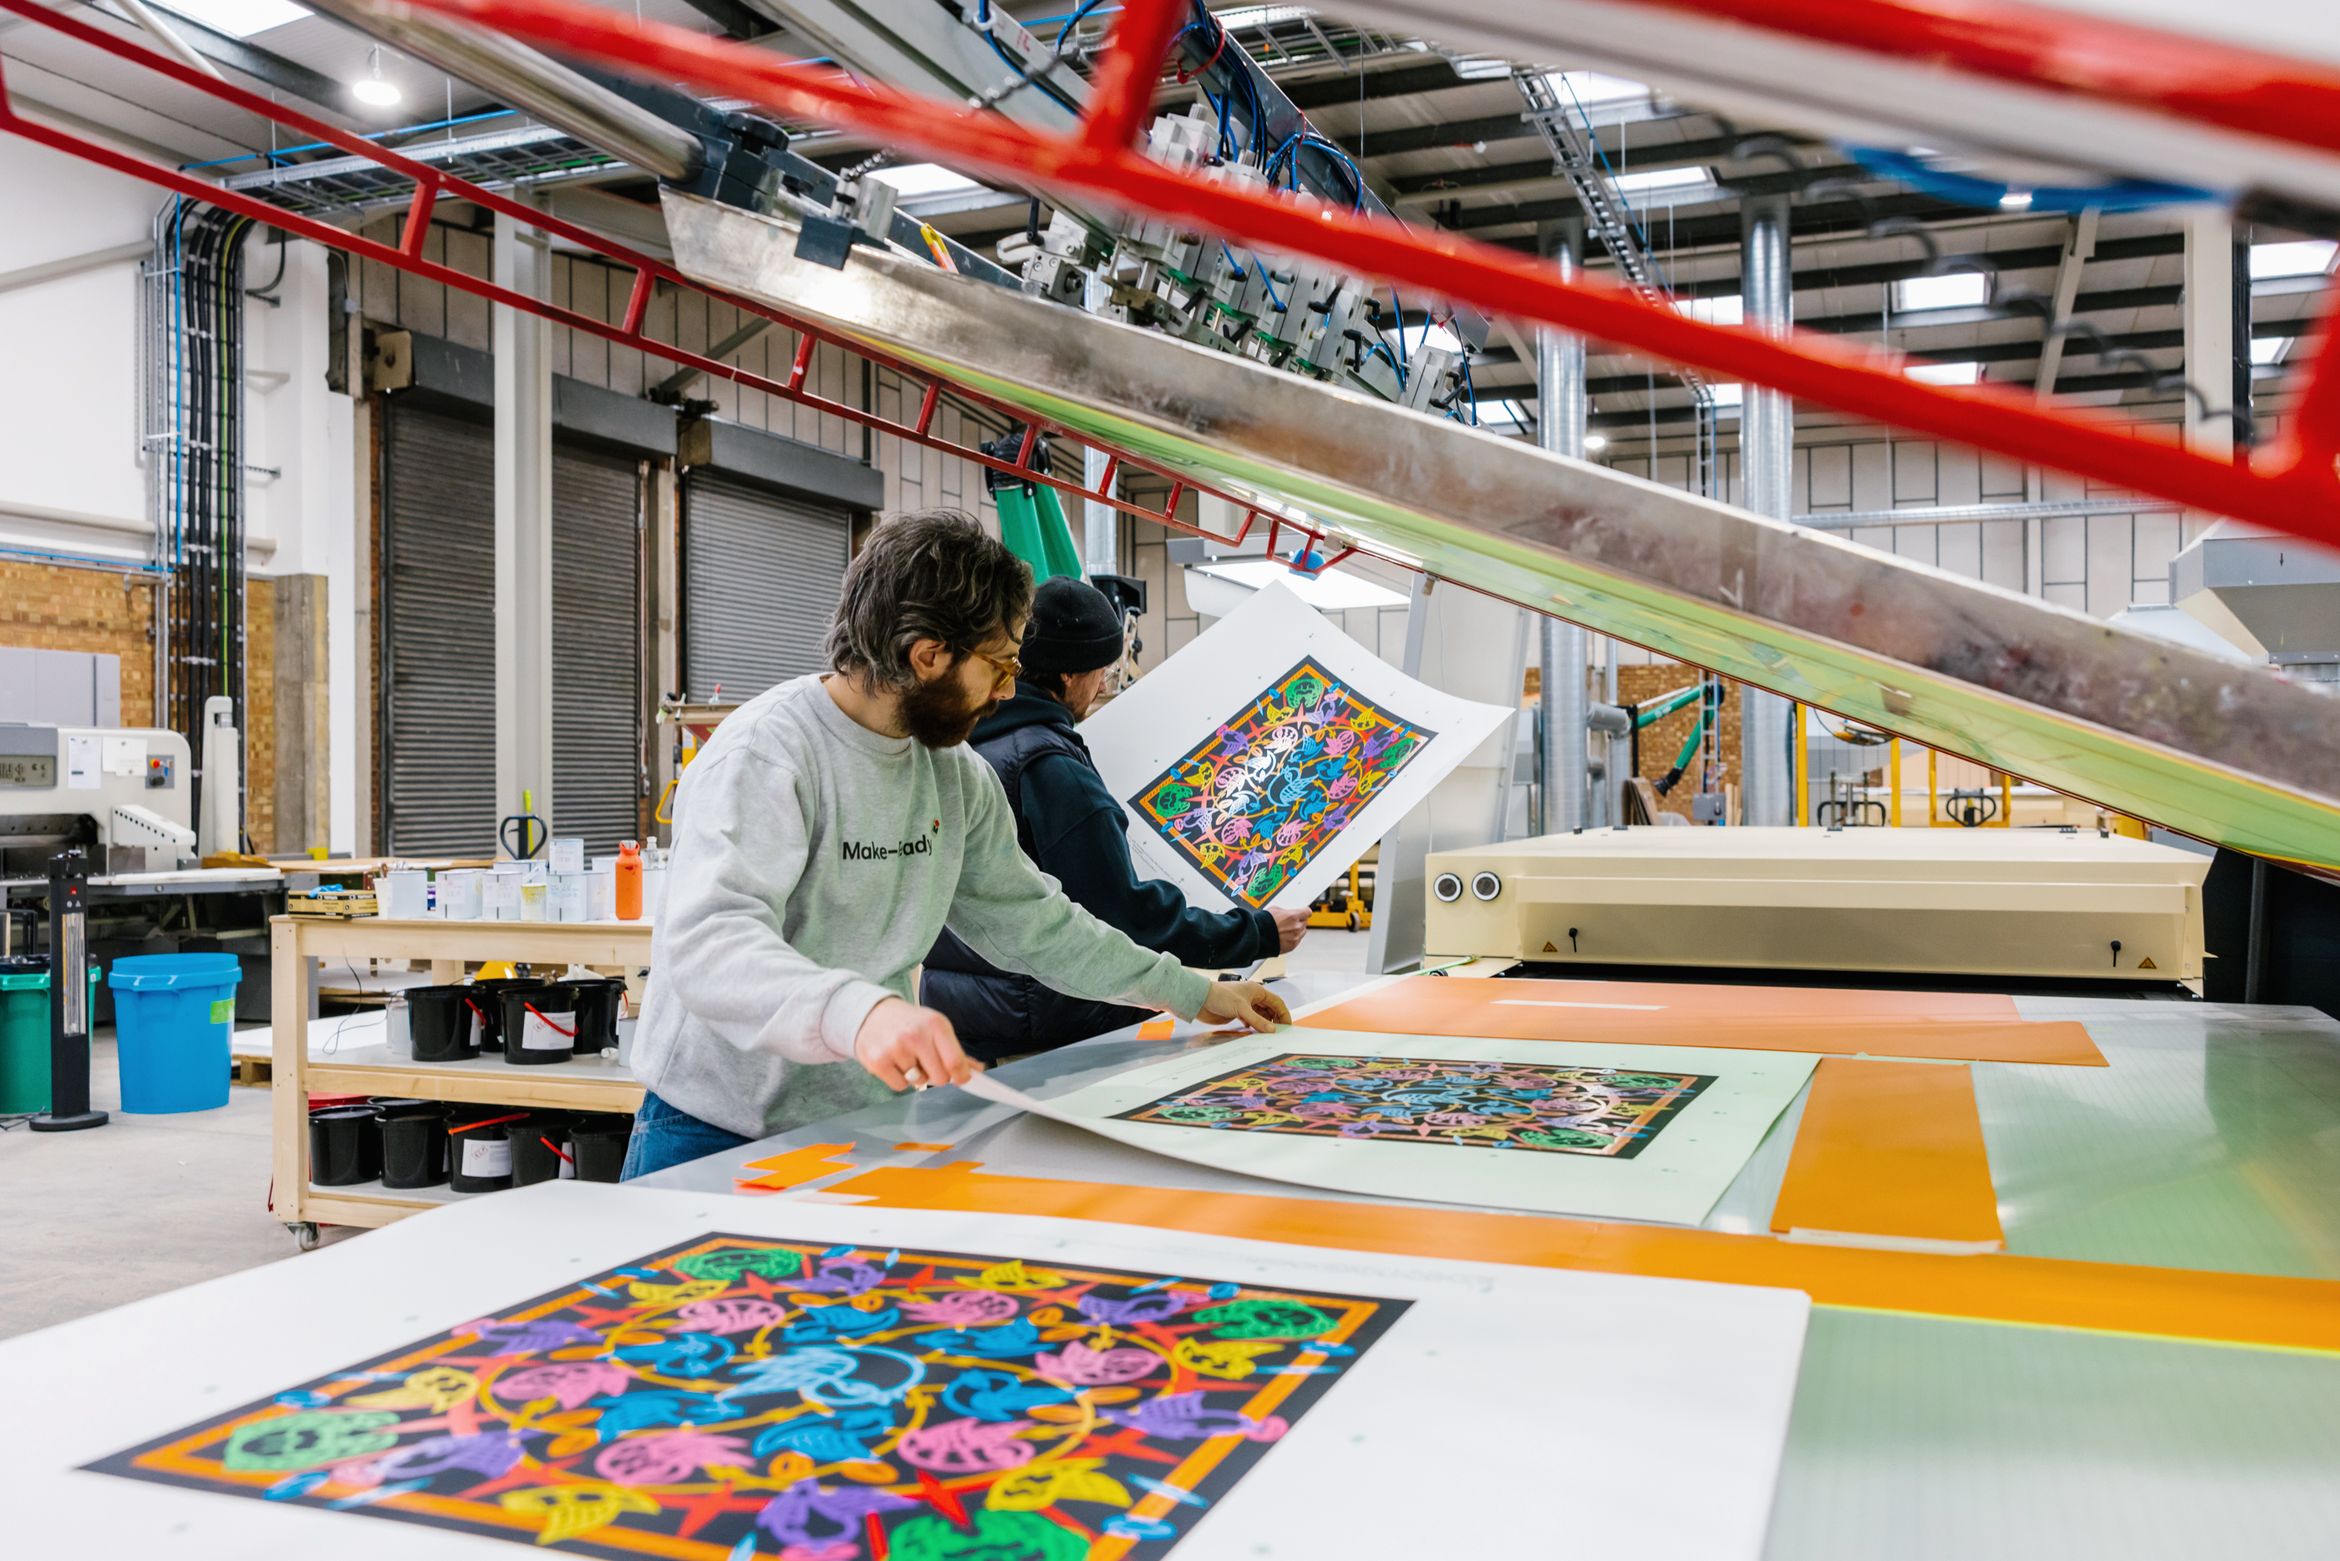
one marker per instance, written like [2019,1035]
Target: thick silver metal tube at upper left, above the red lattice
[532,83]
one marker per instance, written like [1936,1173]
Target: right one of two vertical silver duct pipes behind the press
[1768,467]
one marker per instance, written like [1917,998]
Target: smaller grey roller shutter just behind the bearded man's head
[762,579]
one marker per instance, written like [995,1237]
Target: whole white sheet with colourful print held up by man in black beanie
[1262,759]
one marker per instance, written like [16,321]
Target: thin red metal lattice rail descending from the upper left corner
[408,256]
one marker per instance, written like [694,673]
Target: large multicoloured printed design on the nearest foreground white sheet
[818,1403]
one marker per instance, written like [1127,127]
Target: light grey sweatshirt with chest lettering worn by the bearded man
[813,867]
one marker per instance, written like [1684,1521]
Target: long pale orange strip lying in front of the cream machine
[1950,1026]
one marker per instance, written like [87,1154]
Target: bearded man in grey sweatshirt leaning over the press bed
[830,832]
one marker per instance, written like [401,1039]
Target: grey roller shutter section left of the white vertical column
[439,645]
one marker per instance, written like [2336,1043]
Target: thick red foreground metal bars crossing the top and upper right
[2290,488]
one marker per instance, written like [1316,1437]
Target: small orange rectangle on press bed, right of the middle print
[1892,1150]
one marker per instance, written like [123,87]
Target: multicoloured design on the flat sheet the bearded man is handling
[1433,1101]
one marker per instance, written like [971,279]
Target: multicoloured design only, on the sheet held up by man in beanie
[1281,778]
